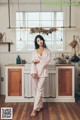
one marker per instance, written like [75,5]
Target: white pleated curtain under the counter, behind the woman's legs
[49,87]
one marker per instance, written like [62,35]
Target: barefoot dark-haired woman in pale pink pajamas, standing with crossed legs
[40,59]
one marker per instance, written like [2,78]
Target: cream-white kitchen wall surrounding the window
[27,5]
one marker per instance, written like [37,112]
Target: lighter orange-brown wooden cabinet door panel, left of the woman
[14,82]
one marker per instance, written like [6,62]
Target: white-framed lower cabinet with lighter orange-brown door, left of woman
[14,82]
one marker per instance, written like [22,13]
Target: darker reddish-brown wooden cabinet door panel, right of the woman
[64,82]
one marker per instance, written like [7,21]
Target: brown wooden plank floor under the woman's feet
[51,111]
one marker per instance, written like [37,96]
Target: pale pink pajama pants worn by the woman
[39,91]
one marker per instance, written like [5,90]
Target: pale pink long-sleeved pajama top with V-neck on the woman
[41,67]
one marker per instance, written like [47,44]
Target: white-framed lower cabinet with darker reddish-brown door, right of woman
[65,83]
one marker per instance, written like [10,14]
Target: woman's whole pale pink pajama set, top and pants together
[41,70]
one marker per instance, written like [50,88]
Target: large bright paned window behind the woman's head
[25,40]
